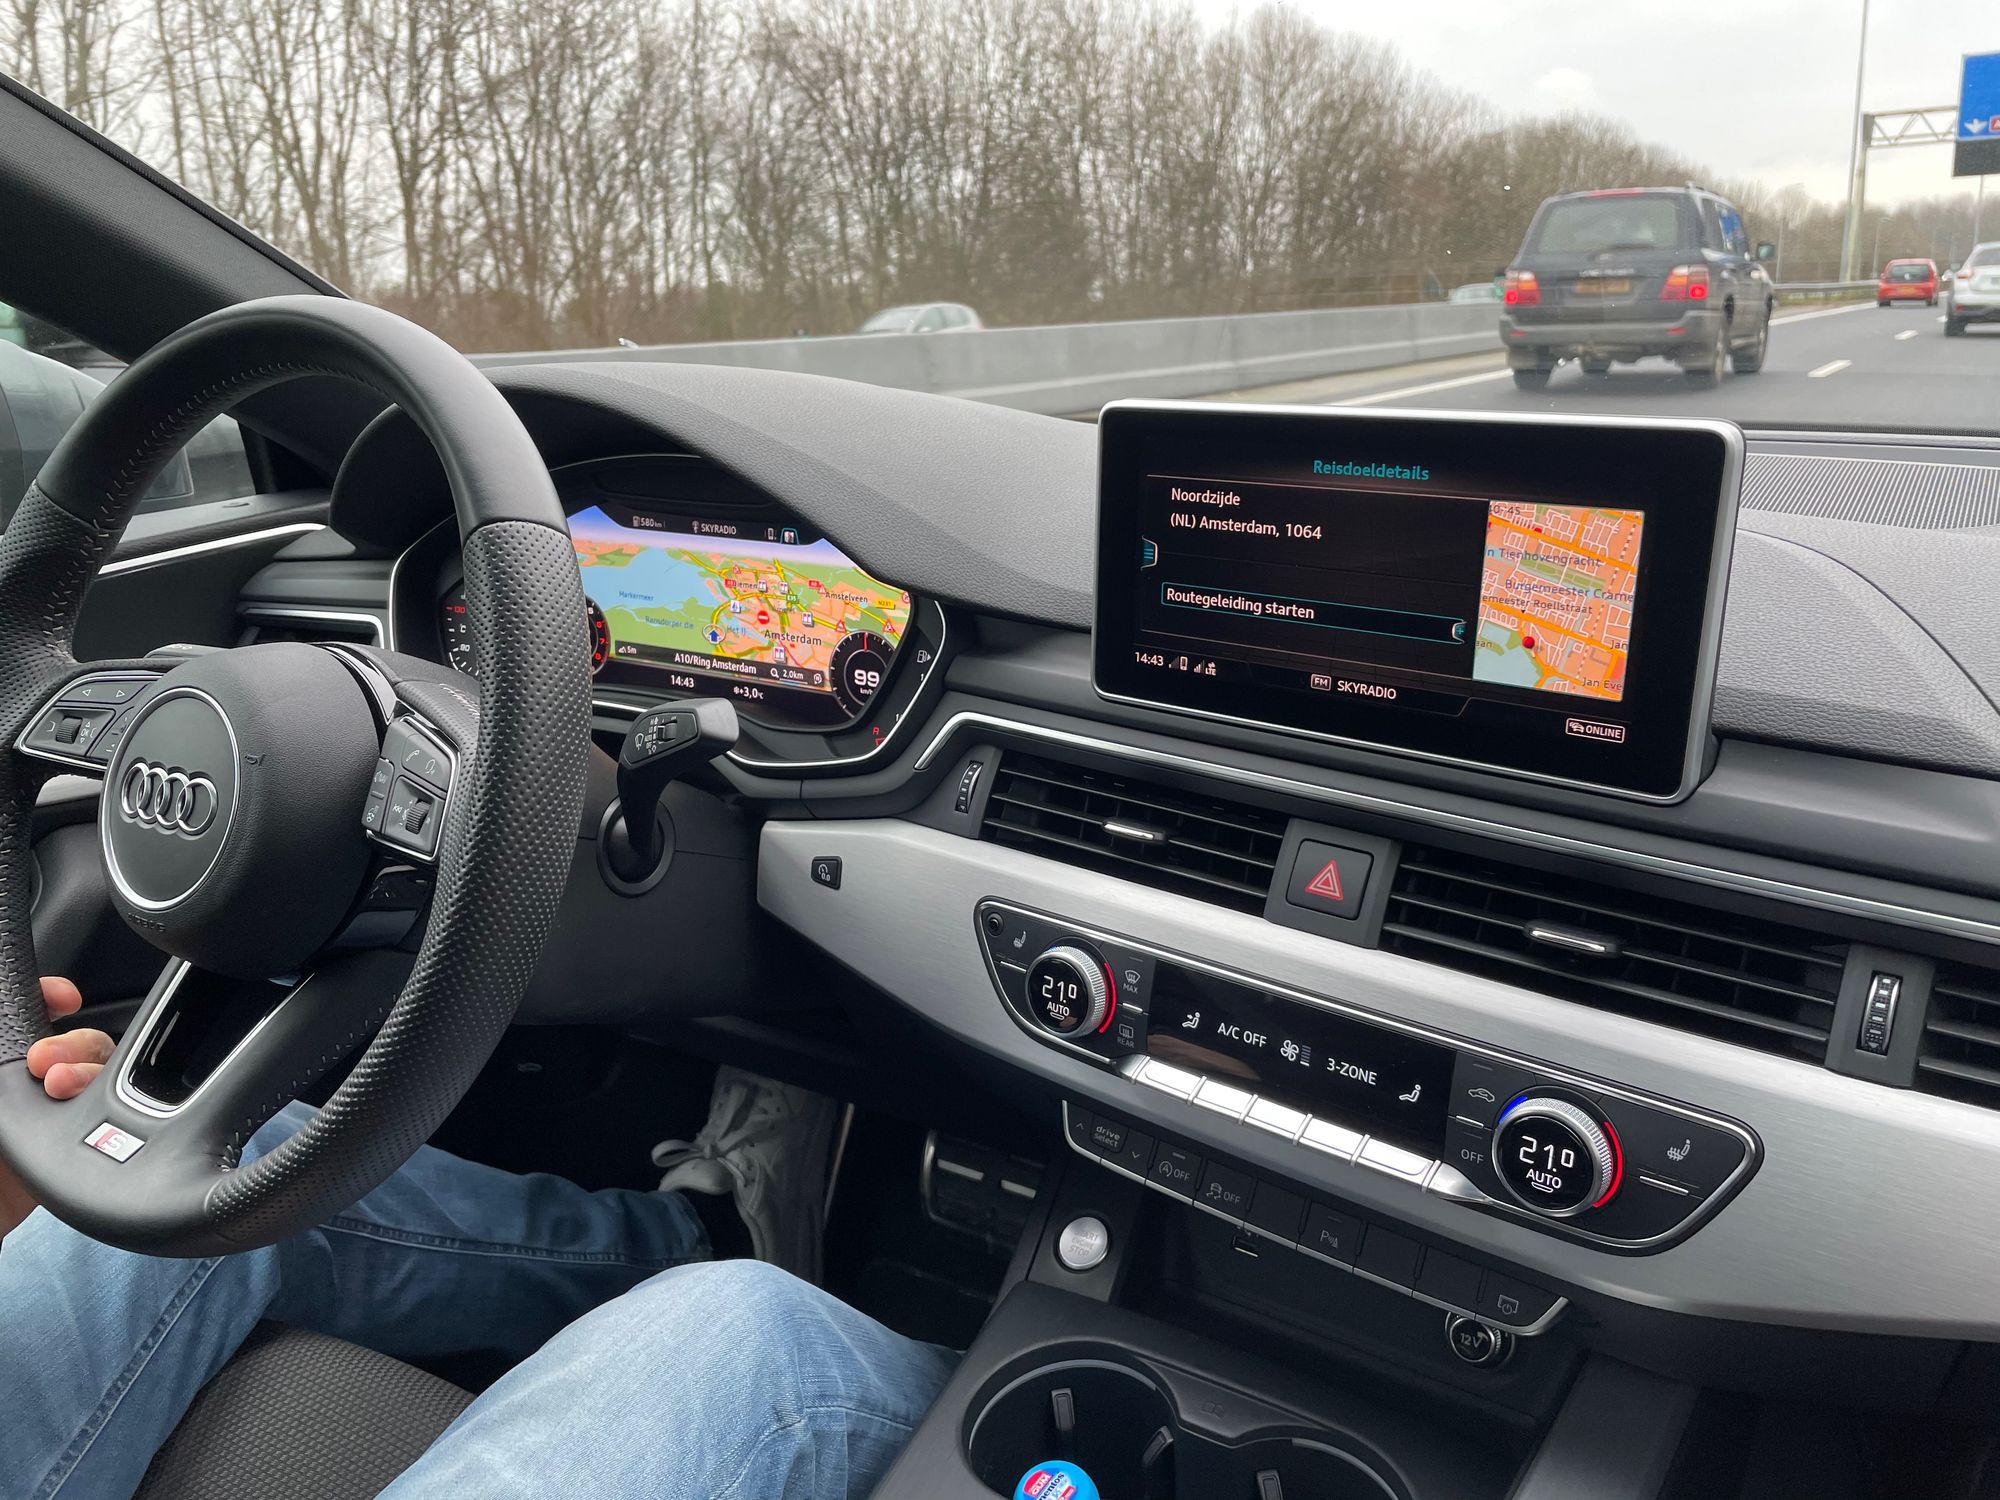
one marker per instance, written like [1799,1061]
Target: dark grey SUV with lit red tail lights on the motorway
[1625,273]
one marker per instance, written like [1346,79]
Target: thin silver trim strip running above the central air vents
[1831,901]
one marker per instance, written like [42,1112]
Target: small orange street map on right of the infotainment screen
[1557,599]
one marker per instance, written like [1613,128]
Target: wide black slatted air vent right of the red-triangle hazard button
[1739,979]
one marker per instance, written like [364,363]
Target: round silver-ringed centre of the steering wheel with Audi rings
[169,799]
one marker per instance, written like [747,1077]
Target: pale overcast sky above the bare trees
[1753,89]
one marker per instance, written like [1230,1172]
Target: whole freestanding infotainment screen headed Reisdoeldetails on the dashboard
[1537,597]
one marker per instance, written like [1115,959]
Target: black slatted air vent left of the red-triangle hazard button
[1187,843]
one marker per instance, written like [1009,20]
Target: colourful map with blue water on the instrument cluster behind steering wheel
[741,605]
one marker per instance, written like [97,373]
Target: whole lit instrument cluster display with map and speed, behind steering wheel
[759,611]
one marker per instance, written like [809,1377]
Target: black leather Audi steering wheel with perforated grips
[257,803]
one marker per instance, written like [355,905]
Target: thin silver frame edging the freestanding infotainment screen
[1719,577]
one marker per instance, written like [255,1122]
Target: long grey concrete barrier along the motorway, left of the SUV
[1079,367]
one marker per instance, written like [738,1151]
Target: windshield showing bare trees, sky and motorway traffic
[1657,215]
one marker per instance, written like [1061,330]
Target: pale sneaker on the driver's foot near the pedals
[767,1145]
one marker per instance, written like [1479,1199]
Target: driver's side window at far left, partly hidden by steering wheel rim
[47,381]
